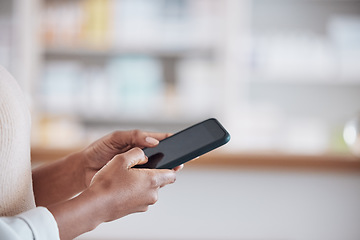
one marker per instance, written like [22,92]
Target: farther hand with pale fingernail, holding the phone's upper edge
[103,150]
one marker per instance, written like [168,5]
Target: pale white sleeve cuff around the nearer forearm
[35,224]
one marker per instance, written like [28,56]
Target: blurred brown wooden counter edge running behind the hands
[220,159]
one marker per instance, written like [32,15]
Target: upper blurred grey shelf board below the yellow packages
[79,52]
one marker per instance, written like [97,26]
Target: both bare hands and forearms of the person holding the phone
[103,175]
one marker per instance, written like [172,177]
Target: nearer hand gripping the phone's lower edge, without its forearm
[124,190]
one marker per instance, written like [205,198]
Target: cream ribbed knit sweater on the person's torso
[16,193]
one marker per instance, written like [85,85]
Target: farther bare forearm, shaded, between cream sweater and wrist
[58,181]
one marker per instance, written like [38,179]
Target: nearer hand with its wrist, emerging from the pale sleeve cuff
[116,190]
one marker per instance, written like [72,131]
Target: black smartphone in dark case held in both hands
[186,145]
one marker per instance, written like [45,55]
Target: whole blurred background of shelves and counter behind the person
[283,76]
